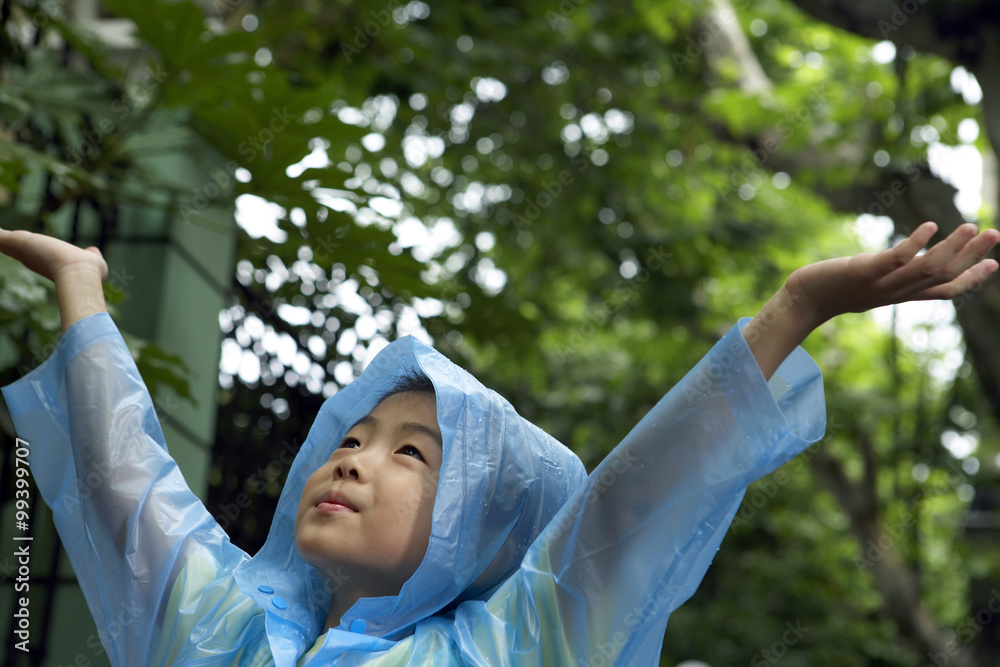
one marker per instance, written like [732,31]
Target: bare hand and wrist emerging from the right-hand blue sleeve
[819,292]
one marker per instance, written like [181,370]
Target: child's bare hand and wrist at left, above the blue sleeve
[77,273]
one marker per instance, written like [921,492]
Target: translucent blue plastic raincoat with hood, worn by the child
[530,560]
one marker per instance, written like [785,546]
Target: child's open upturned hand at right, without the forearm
[832,287]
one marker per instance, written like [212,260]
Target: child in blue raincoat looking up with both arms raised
[423,521]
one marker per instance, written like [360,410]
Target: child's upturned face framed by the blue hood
[367,511]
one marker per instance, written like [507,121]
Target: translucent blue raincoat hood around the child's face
[502,480]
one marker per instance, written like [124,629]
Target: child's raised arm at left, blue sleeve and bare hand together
[124,512]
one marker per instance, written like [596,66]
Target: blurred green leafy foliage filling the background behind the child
[574,201]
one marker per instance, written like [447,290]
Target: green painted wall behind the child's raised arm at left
[175,275]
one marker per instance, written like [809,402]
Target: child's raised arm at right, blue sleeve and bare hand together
[635,542]
